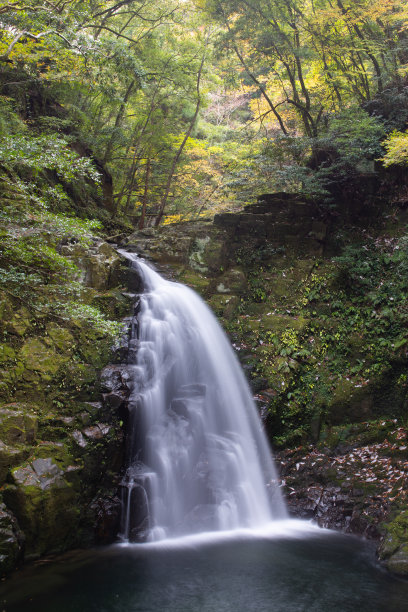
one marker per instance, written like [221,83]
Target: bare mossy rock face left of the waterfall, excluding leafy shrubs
[61,441]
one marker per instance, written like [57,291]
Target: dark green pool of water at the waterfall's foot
[313,572]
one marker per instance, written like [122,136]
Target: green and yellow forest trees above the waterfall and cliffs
[194,106]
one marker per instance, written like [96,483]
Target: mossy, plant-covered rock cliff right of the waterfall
[316,310]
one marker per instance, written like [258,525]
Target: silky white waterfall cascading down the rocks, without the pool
[198,459]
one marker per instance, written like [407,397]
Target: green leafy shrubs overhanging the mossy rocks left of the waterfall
[32,269]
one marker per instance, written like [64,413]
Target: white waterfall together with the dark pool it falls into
[200,490]
